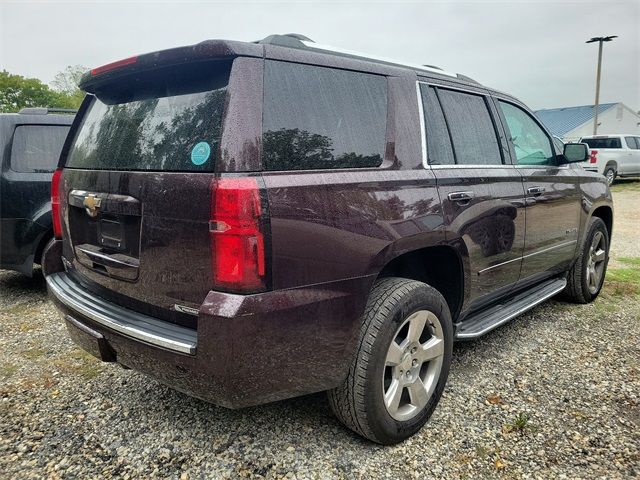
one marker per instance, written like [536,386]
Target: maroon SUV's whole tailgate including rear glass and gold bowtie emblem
[136,185]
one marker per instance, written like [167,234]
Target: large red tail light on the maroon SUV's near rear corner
[237,242]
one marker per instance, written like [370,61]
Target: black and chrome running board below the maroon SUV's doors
[486,320]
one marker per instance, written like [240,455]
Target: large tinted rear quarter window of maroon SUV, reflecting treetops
[316,118]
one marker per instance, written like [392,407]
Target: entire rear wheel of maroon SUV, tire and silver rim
[402,363]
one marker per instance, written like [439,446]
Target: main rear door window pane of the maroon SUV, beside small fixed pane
[472,130]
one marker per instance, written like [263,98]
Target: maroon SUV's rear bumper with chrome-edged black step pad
[247,350]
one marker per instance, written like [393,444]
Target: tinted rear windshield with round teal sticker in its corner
[169,120]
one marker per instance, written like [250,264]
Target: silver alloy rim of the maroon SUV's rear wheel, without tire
[413,364]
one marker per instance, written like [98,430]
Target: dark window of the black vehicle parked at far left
[36,148]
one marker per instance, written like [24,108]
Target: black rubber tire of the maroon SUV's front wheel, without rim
[578,289]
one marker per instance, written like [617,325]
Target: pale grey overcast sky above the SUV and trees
[534,50]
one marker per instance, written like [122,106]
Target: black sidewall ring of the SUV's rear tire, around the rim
[386,429]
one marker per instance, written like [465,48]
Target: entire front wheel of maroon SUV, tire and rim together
[586,277]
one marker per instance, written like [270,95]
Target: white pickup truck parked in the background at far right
[613,155]
